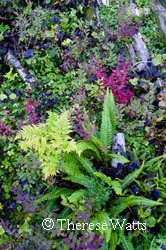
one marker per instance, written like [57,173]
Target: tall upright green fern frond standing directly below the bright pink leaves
[108,123]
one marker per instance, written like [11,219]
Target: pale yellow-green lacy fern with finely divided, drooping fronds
[50,142]
